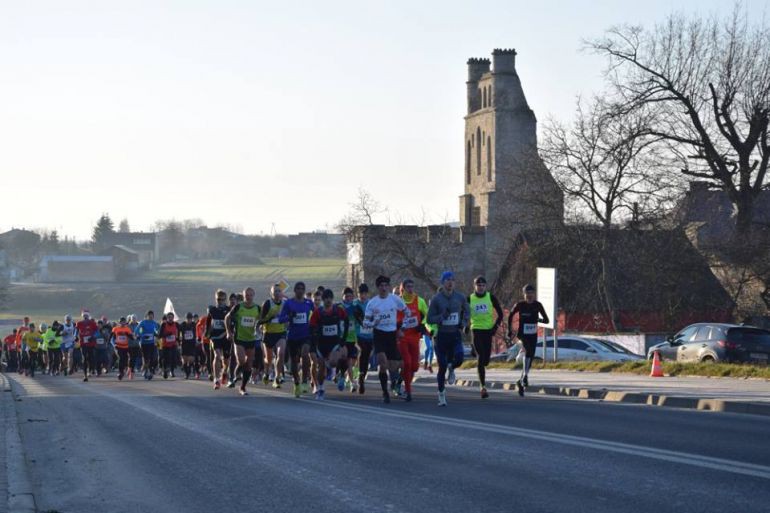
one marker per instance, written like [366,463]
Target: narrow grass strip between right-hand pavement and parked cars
[642,367]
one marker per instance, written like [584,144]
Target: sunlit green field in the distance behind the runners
[290,269]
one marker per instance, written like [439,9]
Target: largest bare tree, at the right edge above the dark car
[707,84]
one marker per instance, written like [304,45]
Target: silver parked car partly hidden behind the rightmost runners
[574,348]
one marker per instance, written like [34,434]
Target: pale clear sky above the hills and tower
[258,114]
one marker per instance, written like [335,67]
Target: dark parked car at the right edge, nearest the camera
[716,342]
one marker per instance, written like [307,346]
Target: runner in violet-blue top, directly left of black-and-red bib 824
[296,312]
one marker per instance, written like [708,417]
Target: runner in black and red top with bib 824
[328,341]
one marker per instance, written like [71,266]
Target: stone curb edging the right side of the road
[619,396]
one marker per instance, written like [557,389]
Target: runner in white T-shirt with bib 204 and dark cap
[382,315]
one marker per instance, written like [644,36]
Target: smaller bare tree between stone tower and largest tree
[605,163]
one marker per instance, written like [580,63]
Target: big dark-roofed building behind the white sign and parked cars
[619,280]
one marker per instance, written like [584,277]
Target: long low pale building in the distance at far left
[79,269]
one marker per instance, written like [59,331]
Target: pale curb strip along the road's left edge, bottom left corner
[21,498]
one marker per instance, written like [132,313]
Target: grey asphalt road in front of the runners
[180,446]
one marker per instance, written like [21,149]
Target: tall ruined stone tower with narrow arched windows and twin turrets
[507,187]
